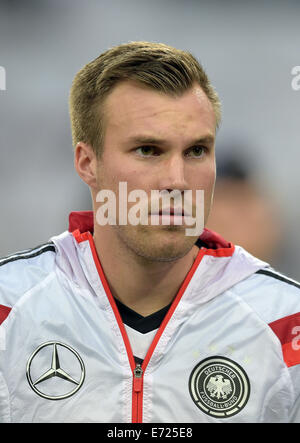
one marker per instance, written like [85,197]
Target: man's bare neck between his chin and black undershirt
[141,284]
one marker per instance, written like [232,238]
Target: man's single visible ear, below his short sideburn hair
[85,162]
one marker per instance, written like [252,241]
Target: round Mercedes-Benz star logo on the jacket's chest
[55,370]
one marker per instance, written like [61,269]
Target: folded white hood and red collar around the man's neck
[218,266]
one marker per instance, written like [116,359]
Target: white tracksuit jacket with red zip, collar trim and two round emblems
[228,349]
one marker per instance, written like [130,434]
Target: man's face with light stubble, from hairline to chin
[157,142]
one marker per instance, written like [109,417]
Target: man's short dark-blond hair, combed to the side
[155,65]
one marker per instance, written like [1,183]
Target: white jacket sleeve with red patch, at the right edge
[275,298]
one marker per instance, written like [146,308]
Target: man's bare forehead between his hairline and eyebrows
[131,107]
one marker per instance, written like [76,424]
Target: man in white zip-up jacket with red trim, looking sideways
[140,322]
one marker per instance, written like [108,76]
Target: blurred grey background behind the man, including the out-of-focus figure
[248,50]
